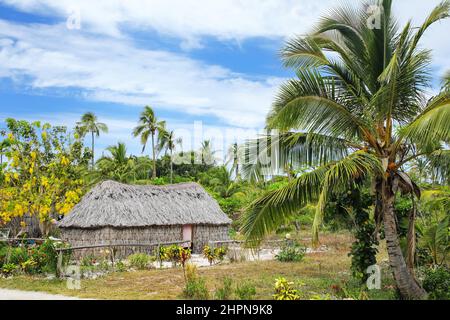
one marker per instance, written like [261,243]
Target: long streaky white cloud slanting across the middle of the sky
[114,70]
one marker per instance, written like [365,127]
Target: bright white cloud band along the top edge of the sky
[188,19]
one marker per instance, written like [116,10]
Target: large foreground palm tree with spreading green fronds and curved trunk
[367,98]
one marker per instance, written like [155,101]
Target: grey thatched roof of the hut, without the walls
[113,204]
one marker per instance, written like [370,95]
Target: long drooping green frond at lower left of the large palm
[265,214]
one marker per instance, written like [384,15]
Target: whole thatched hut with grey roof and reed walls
[116,212]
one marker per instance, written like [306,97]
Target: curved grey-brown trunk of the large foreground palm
[405,281]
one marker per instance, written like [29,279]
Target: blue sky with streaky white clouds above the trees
[209,68]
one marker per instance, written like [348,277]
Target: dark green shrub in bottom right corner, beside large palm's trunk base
[437,283]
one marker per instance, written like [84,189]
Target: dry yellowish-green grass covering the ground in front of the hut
[315,275]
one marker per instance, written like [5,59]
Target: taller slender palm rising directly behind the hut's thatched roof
[149,126]
